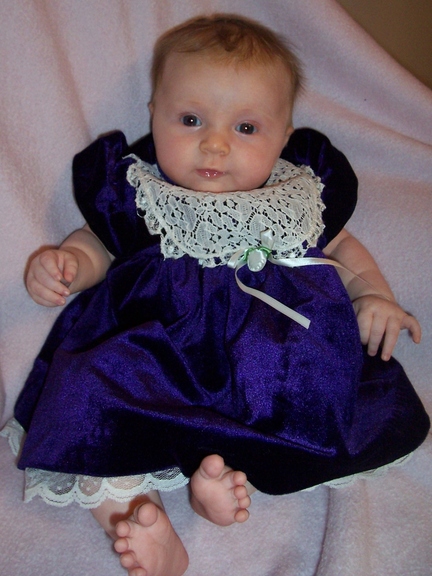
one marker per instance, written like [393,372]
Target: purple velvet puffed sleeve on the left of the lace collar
[106,199]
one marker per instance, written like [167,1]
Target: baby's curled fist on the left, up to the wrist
[50,275]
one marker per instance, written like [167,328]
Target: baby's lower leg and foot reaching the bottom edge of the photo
[144,536]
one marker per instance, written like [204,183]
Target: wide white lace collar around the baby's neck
[212,227]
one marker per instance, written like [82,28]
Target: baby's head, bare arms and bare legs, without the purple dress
[221,114]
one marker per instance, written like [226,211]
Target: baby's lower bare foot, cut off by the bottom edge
[148,544]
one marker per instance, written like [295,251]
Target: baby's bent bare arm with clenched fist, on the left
[79,263]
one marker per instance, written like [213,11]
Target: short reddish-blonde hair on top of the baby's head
[231,39]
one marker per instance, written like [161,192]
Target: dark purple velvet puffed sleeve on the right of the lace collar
[311,148]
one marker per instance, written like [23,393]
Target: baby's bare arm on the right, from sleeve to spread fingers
[379,316]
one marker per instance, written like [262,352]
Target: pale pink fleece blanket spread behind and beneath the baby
[73,70]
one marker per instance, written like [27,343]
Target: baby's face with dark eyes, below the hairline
[219,127]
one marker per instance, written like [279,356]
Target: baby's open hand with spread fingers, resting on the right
[380,322]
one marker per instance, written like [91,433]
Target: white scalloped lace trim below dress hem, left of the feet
[61,489]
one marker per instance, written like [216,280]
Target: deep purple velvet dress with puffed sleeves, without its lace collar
[166,361]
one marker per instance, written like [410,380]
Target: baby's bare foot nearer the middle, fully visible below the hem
[220,494]
